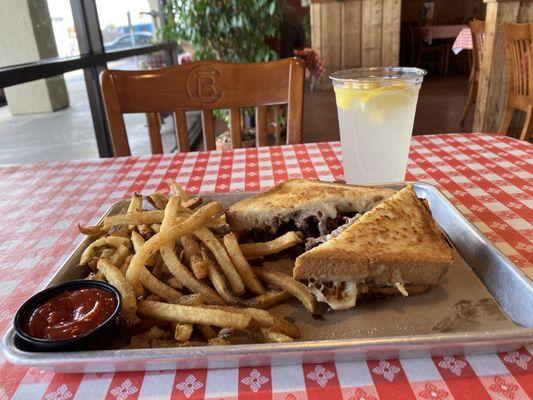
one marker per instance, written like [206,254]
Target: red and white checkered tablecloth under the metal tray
[489,178]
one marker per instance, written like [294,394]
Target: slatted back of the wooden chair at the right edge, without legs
[519,63]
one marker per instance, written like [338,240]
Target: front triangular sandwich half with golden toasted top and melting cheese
[396,248]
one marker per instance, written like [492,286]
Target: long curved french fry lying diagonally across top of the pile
[191,224]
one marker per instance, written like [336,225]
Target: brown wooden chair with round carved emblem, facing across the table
[204,86]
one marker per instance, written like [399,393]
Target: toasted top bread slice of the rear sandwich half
[291,198]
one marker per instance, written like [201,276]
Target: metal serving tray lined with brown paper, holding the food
[459,316]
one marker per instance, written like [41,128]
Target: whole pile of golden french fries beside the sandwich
[180,265]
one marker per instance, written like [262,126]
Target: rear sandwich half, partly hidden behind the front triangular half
[311,207]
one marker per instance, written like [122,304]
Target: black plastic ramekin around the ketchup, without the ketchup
[96,338]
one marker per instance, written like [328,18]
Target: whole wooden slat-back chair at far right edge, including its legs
[519,64]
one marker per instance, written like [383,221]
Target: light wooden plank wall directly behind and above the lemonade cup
[356,33]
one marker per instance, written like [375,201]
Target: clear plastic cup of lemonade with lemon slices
[376,116]
